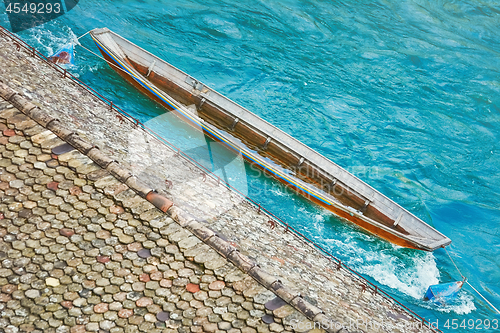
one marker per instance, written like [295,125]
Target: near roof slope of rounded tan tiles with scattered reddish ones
[79,251]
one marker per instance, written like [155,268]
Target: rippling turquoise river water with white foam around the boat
[404,94]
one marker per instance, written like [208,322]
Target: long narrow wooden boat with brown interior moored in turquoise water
[290,161]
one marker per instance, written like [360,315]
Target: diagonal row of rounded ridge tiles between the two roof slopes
[185,220]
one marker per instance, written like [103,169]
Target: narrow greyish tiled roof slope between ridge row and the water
[299,266]
